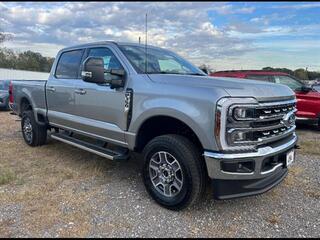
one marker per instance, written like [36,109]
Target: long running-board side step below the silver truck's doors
[103,152]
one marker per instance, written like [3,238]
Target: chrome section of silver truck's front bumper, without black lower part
[213,162]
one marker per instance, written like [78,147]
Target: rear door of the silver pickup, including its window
[60,89]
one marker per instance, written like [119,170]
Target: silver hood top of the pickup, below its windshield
[235,87]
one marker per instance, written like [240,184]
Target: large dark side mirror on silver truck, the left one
[93,70]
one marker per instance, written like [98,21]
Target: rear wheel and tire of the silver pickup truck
[33,133]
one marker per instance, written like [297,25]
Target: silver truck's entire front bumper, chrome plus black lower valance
[239,184]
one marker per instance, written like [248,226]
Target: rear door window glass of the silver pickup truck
[69,64]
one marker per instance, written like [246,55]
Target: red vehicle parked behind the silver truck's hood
[308,99]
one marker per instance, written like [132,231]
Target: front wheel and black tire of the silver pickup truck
[173,173]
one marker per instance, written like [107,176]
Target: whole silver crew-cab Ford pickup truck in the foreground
[114,98]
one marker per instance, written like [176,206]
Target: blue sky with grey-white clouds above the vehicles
[225,35]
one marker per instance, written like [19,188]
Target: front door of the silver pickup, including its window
[99,108]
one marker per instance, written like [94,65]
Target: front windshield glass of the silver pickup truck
[158,61]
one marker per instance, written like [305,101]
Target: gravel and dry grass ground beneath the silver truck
[60,191]
